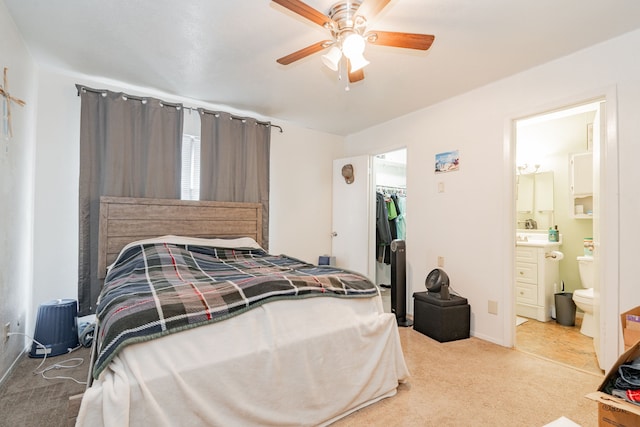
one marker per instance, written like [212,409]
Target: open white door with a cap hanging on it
[351,215]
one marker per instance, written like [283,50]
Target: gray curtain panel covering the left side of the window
[129,147]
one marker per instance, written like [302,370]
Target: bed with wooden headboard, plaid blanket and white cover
[266,340]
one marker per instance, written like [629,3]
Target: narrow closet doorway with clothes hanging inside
[390,183]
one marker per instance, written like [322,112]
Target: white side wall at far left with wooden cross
[16,189]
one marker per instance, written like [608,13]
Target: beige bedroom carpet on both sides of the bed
[461,383]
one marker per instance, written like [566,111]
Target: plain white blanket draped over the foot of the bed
[255,369]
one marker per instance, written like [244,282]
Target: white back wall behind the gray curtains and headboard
[300,214]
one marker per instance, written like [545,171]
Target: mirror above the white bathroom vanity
[534,195]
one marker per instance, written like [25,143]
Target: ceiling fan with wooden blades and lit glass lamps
[347,24]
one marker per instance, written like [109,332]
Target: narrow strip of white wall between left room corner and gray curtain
[55,254]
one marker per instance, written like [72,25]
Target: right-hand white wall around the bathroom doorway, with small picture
[470,222]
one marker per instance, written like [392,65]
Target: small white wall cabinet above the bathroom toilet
[581,166]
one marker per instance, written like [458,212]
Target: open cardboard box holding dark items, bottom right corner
[614,411]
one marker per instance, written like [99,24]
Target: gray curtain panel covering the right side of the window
[234,161]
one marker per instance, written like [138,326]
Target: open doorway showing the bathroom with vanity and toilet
[545,145]
